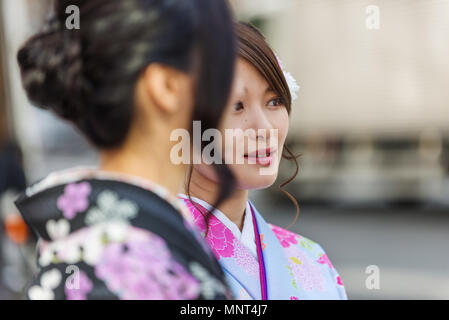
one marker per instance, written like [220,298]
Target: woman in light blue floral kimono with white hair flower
[260,260]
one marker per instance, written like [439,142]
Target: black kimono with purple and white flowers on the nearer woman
[109,236]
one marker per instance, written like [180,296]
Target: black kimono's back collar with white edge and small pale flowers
[68,194]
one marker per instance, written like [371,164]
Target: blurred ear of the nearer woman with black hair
[168,88]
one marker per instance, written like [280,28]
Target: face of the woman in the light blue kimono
[255,151]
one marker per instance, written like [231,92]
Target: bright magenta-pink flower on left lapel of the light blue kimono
[219,237]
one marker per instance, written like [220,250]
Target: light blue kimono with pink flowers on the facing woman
[296,268]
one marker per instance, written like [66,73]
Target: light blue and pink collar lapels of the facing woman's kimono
[240,266]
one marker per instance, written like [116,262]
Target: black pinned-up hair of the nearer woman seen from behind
[88,75]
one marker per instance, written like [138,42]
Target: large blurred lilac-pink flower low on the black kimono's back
[144,270]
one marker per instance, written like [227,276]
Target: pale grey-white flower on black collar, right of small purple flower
[111,208]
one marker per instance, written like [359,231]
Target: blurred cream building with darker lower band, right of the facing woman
[373,113]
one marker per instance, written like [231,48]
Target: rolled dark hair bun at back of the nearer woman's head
[51,69]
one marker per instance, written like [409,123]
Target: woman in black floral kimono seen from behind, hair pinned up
[135,71]
